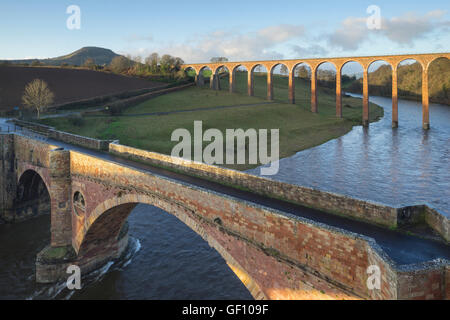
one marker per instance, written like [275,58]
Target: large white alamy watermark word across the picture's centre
[234,143]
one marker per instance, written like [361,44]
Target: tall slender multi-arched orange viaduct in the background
[393,60]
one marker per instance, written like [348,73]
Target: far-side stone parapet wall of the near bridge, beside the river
[330,202]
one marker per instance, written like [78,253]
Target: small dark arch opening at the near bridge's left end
[33,195]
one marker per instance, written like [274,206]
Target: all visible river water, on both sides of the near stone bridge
[167,260]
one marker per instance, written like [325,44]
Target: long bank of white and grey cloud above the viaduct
[292,41]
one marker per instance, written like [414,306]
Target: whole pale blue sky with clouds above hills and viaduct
[240,30]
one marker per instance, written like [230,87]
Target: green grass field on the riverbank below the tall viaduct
[299,128]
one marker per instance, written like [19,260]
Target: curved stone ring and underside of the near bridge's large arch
[106,225]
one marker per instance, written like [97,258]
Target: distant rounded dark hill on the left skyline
[100,56]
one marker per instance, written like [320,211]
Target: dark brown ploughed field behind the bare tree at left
[67,84]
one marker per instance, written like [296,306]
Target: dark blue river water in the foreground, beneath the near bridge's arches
[167,260]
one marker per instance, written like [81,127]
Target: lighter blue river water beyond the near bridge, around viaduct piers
[402,166]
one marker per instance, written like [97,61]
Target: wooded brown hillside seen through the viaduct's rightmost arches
[410,82]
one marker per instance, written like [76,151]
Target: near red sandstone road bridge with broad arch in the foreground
[279,248]
